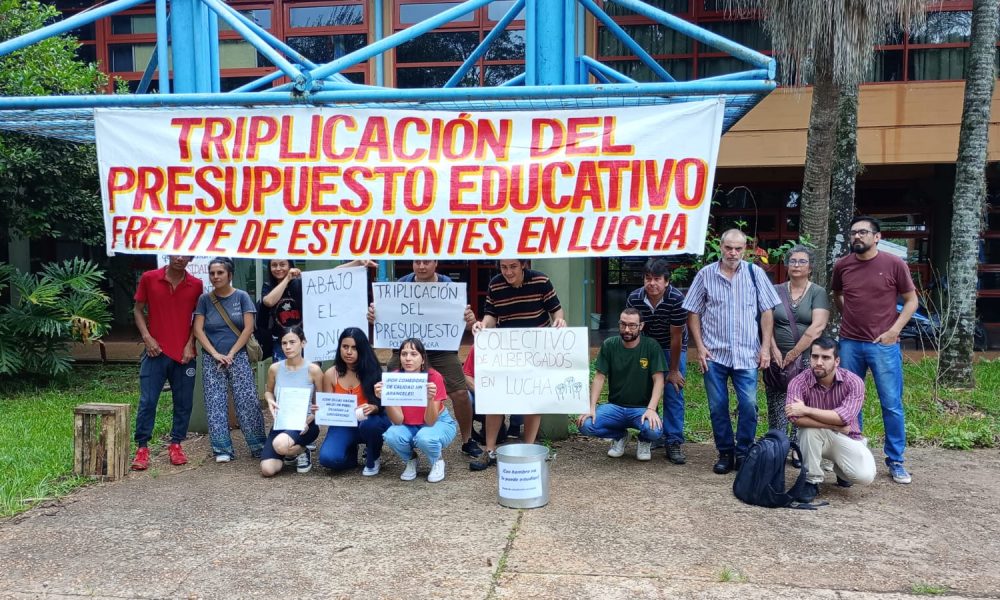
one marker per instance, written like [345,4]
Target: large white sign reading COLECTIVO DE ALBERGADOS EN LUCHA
[532,371]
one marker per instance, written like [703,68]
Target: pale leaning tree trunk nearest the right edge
[955,356]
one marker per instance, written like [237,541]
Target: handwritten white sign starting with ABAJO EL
[332,301]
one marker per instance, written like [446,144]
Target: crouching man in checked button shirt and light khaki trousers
[824,403]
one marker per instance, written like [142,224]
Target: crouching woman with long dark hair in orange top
[355,371]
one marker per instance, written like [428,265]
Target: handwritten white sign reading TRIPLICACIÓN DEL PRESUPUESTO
[433,312]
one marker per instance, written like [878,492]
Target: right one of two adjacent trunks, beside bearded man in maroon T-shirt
[845,175]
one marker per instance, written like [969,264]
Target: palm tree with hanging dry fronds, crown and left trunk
[830,43]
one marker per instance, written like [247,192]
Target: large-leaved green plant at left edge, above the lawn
[60,305]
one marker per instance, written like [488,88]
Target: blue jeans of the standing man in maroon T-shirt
[886,364]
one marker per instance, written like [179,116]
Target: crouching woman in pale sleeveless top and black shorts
[287,446]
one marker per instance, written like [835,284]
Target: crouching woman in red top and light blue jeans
[427,428]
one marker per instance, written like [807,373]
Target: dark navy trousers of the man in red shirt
[153,371]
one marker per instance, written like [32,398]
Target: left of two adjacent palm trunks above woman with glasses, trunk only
[814,220]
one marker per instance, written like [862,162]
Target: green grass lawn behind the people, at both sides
[36,425]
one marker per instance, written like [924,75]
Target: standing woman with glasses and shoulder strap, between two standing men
[792,338]
